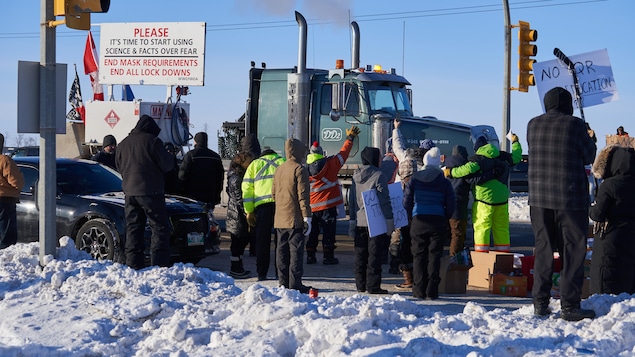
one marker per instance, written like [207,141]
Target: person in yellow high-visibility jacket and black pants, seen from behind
[259,205]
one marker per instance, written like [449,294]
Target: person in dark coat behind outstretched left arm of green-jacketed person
[461,187]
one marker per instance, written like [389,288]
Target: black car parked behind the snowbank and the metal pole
[90,209]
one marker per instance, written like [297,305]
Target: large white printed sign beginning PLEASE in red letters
[159,53]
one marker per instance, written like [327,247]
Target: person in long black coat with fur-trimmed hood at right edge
[613,262]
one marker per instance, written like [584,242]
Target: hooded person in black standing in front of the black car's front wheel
[142,161]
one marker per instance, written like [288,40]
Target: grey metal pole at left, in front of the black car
[47,188]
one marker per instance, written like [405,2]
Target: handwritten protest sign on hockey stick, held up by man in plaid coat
[595,77]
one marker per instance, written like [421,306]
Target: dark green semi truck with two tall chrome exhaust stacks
[320,104]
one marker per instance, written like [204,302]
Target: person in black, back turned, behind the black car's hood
[202,173]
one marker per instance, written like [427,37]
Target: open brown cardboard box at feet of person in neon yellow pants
[486,264]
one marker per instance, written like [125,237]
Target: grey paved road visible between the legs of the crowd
[337,280]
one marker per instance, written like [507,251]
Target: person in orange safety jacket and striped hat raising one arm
[326,195]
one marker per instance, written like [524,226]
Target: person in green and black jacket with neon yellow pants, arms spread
[489,168]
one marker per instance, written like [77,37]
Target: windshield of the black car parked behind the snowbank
[83,178]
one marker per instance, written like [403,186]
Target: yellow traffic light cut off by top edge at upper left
[77,12]
